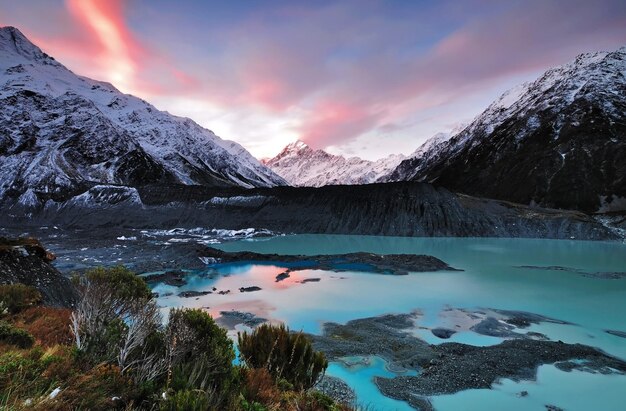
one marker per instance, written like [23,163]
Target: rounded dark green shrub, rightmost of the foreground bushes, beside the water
[285,355]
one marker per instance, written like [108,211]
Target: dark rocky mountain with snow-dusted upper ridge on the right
[559,141]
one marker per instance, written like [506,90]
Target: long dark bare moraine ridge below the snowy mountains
[398,209]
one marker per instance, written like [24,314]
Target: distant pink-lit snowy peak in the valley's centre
[300,165]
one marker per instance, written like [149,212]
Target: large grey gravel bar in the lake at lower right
[450,367]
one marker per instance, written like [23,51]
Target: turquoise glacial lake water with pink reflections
[501,274]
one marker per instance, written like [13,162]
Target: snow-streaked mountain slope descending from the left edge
[61,133]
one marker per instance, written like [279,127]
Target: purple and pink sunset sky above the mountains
[354,77]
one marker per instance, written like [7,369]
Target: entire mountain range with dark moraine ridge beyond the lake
[79,152]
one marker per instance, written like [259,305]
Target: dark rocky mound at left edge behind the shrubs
[27,262]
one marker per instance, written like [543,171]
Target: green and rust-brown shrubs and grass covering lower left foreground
[113,351]
